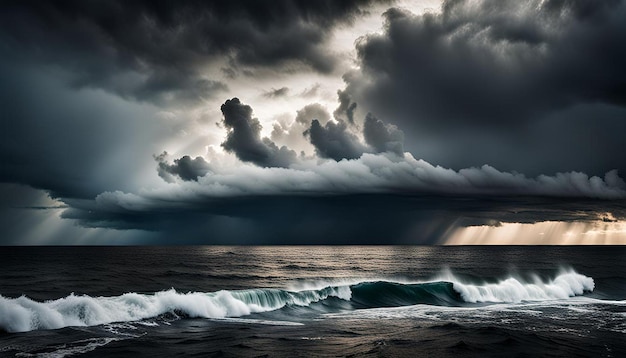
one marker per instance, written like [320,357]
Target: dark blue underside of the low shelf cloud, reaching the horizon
[292,220]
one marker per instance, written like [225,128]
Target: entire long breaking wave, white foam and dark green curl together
[23,314]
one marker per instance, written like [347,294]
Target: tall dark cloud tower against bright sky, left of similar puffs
[244,138]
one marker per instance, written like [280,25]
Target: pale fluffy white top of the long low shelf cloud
[388,173]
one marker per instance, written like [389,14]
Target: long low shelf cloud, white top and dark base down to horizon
[378,198]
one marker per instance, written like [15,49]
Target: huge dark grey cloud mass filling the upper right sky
[489,74]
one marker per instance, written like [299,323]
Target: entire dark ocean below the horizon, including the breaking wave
[312,301]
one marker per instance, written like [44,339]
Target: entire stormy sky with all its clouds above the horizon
[312,122]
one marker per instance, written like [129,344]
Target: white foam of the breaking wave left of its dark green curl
[23,314]
